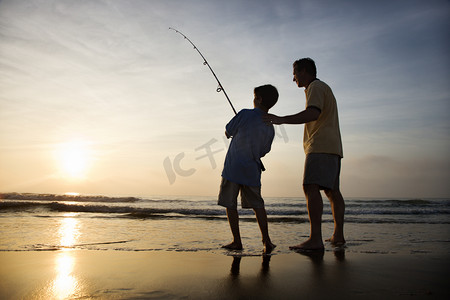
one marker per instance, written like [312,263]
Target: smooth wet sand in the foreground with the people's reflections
[202,275]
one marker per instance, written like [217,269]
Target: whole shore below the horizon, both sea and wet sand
[95,247]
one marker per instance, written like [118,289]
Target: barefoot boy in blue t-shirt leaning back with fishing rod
[252,139]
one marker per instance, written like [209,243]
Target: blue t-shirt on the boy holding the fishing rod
[252,139]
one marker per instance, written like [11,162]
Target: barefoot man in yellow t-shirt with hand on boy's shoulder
[323,149]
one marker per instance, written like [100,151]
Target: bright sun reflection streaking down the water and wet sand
[66,285]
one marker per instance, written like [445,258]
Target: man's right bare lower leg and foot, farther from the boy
[338,209]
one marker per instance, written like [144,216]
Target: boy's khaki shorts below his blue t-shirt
[250,195]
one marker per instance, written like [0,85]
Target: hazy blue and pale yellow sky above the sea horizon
[100,97]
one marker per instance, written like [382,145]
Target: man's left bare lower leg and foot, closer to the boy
[315,210]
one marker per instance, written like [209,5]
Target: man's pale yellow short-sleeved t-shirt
[322,135]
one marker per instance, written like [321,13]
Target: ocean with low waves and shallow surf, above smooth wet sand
[49,222]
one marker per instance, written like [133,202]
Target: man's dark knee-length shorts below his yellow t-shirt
[322,169]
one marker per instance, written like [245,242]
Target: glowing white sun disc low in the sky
[74,158]
